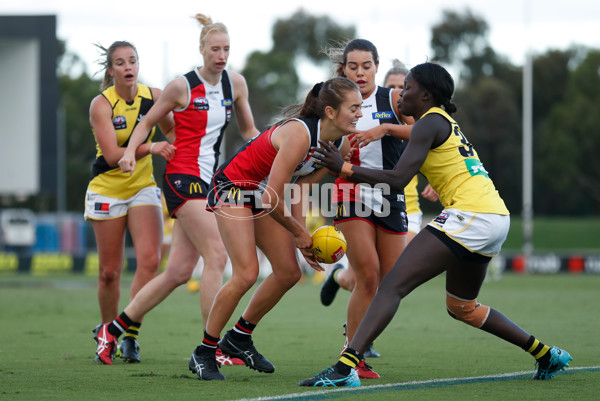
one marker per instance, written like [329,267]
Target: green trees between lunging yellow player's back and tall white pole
[488,98]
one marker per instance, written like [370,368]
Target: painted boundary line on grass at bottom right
[412,385]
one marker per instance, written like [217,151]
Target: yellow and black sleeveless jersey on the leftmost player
[111,181]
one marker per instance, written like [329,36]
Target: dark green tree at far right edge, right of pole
[569,142]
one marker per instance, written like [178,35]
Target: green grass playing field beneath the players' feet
[46,346]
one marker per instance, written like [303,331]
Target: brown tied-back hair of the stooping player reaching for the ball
[329,93]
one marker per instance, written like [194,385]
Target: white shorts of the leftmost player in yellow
[99,207]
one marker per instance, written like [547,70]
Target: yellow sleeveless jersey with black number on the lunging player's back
[456,173]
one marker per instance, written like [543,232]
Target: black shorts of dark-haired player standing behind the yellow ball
[393,220]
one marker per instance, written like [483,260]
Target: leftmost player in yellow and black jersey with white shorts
[116,201]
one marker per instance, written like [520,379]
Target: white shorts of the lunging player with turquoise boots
[482,233]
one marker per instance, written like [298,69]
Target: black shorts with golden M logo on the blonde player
[179,188]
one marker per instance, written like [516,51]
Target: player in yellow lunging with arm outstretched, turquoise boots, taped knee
[460,241]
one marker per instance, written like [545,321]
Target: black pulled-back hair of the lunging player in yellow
[436,79]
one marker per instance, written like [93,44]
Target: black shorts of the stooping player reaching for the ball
[223,192]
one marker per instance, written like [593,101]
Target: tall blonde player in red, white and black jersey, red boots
[203,102]
